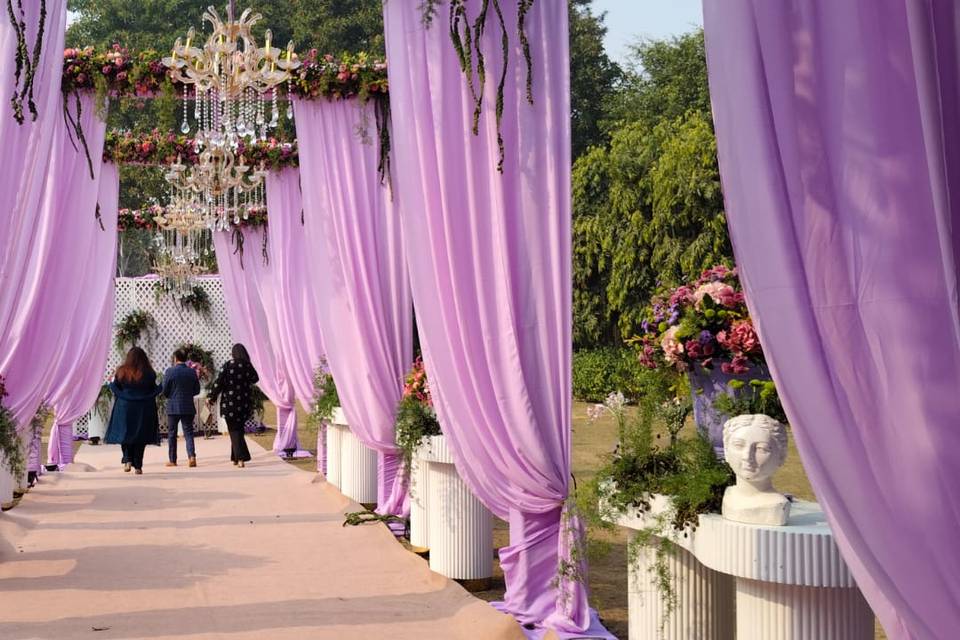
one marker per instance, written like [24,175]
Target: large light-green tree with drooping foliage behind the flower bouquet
[648,207]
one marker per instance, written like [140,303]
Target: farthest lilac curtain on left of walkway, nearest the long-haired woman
[82,363]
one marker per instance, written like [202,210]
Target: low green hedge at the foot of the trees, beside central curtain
[598,372]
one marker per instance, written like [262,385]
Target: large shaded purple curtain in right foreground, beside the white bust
[837,130]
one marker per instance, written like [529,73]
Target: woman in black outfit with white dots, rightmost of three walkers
[234,387]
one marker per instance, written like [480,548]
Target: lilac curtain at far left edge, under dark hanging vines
[23,173]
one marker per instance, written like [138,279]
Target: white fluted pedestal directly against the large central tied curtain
[460,527]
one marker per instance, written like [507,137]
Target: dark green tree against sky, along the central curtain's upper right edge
[593,76]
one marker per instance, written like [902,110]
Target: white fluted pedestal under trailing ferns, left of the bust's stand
[704,599]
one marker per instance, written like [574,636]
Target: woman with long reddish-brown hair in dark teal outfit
[133,422]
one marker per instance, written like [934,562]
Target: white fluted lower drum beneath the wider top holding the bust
[771,611]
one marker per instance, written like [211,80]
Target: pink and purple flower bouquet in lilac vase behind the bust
[703,323]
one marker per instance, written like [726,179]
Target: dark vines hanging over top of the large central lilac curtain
[467,39]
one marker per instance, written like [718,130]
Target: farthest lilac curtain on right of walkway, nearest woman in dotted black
[250,285]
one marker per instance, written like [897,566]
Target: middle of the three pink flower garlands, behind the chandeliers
[163,148]
